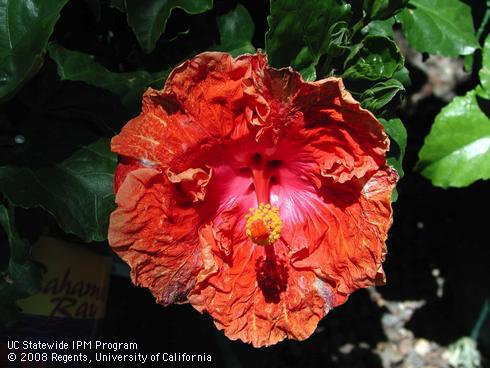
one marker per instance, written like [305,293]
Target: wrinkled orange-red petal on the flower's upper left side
[200,103]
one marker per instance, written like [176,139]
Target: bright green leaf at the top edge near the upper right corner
[443,27]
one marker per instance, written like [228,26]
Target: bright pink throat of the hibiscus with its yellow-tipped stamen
[268,179]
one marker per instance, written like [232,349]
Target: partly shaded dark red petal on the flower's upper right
[346,140]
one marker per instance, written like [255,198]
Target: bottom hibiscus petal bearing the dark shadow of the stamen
[259,298]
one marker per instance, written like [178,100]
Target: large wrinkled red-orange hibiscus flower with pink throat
[257,197]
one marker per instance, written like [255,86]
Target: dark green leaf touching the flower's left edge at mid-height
[78,192]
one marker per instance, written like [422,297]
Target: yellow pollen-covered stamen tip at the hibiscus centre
[264,224]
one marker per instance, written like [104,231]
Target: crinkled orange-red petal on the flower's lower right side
[355,226]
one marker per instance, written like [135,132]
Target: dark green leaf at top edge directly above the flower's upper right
[301,32]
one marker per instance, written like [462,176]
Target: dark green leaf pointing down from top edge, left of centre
[148,18]
